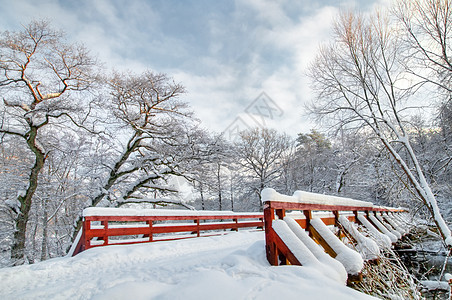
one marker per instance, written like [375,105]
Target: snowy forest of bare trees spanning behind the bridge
[75,135]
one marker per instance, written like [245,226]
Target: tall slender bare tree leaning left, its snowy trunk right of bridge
[361,82]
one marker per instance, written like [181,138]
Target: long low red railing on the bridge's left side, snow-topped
[110,226]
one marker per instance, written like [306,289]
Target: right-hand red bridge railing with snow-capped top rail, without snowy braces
[303,207]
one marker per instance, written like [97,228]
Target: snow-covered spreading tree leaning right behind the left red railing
[148,125]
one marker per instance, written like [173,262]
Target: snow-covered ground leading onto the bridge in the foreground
[231,266]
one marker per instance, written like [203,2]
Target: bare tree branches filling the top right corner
[427,30]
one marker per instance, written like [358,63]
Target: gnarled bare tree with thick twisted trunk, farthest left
[39,74]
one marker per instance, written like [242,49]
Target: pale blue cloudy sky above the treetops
[243,62]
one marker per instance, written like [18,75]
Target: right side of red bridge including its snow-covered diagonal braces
[315,213]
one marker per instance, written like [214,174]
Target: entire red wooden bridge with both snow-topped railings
[109,226]
